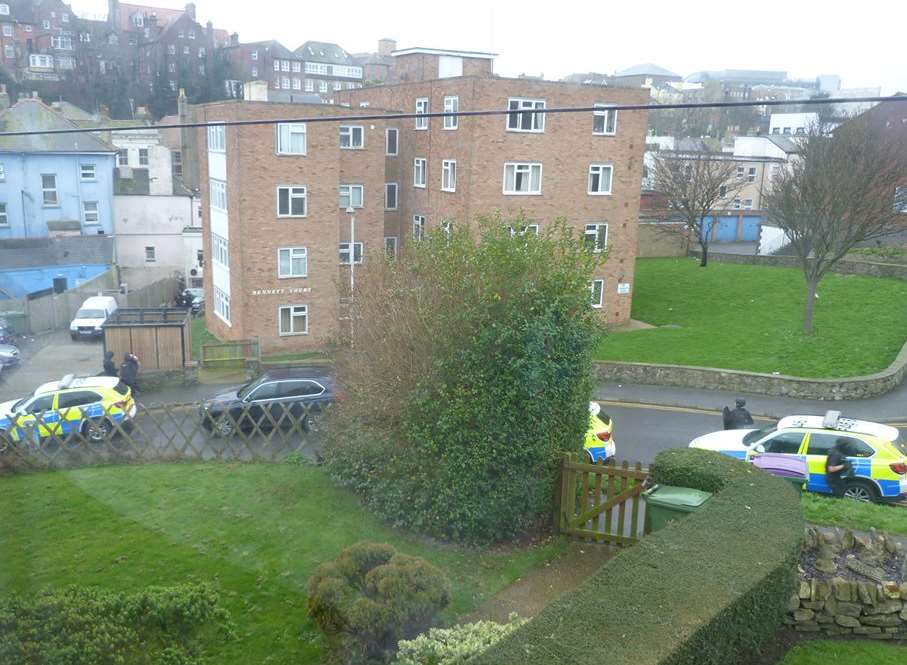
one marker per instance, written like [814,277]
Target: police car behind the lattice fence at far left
[89,406]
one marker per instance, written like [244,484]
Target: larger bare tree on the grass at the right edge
[843,190]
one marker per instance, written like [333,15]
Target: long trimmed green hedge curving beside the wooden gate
[702,591]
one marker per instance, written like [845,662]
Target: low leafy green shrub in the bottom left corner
[90,626]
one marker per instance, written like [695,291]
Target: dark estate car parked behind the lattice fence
[283,396]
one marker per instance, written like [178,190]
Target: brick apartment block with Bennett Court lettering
[274,273]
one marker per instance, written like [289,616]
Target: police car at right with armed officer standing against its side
[879,460]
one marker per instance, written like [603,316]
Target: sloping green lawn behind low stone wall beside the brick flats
[751,318]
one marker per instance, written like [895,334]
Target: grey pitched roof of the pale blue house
[32,114]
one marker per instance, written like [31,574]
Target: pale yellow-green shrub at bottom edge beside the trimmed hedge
[455,646]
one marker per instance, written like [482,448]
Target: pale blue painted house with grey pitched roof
[53,184]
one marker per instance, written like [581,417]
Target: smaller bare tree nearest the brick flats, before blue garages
[695,184]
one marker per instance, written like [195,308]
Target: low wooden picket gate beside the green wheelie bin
[602,501]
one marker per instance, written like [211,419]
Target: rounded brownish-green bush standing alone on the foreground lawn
[370,597]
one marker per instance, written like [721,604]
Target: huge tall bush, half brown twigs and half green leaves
[469,372]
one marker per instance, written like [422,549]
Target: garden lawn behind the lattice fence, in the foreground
[257,531]
